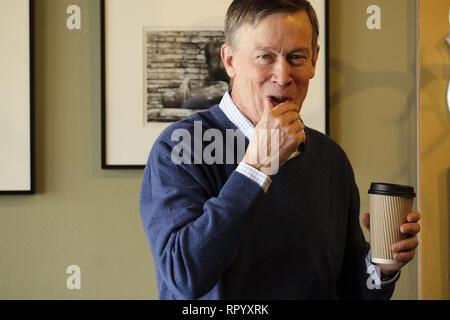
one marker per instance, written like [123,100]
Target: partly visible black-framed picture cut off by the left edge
[16,110]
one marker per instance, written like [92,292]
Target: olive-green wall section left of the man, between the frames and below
[81,215]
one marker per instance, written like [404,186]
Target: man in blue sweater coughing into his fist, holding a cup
[281,222]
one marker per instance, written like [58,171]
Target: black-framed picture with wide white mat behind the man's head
[161,63]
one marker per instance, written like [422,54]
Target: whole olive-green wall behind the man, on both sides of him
[83,215]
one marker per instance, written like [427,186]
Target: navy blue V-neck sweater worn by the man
[214,233]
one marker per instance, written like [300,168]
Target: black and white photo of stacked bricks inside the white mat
[184,73]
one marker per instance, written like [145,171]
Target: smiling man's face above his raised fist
[273,61]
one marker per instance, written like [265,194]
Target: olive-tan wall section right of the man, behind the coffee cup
[373,103]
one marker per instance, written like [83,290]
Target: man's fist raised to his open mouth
[277,135]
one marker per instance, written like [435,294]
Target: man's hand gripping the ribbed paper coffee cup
[405,250]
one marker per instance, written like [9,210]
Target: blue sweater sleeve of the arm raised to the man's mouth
[194,235]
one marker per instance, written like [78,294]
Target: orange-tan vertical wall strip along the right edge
[434,149]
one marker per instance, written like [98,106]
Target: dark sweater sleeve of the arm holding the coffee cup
[355,281]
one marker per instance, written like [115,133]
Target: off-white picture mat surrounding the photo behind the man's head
[128,138]
